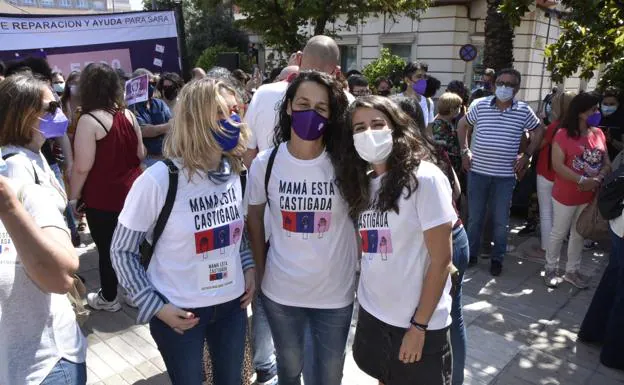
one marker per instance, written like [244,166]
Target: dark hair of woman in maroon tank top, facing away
[100,88]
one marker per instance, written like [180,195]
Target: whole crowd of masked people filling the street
[293,195]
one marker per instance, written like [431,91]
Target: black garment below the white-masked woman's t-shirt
[376,352]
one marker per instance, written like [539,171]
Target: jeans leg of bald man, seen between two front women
[263,348]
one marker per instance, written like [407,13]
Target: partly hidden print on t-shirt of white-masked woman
[375,234]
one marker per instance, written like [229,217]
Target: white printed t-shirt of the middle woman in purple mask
[312,253]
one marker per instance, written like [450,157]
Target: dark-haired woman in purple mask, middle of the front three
[308,283]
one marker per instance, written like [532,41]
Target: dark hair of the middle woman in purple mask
[337,107]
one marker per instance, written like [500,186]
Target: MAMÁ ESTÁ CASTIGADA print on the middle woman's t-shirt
[306,208]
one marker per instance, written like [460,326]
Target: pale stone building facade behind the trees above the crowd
[440,33]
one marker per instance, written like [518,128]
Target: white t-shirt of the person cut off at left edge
[37,329]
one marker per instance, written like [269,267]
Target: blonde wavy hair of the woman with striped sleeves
[197,114]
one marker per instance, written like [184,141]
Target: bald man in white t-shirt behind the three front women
[319,54]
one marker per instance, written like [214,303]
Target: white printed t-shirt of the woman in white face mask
[395,258]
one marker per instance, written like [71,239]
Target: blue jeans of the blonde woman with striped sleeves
[223,327]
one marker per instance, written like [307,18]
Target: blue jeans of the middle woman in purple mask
[329,330]
